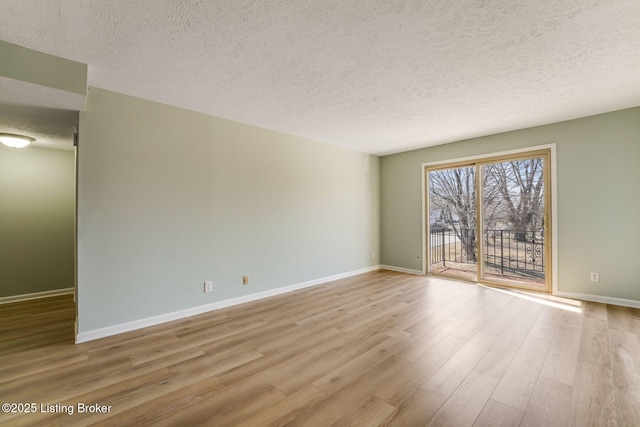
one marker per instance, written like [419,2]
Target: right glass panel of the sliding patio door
[513,215]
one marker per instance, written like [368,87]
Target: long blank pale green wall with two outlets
[169,198]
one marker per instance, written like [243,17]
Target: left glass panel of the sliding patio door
[452,222]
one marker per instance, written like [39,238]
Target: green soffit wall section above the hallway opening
[39,68]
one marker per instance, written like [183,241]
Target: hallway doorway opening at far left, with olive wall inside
[38,184]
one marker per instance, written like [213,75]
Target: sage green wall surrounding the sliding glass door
[598,173]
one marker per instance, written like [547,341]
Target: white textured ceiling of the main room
[378,76]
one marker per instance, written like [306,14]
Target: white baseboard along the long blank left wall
[176,315]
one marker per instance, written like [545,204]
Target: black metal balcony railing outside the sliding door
[505,251]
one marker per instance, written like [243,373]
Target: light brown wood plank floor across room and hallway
[382,348]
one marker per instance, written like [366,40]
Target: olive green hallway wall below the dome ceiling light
[36,220]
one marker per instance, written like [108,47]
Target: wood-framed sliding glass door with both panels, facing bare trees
[488,220]
